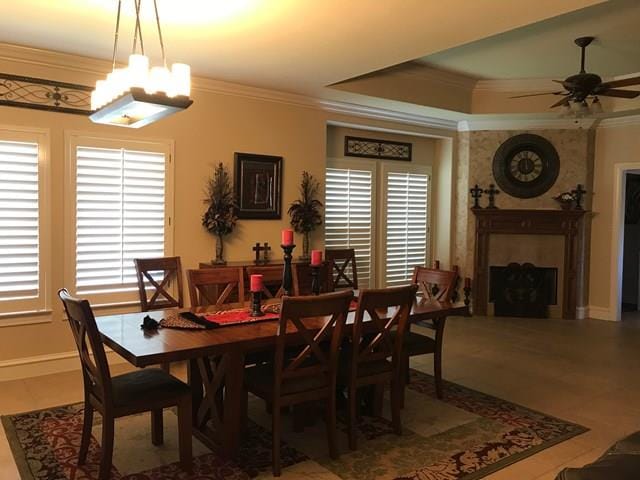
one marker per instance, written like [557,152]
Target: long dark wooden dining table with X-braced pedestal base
[216,359]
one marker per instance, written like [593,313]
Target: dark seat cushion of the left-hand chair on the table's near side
[259,380]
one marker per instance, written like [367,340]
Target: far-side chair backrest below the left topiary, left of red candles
[216,286]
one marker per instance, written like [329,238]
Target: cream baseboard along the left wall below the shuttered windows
[35,366]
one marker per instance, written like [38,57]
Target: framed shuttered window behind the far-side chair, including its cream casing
[121,202]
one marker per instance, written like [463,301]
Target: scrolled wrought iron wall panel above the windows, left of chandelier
[42,94]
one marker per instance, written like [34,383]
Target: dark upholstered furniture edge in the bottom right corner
[620,462]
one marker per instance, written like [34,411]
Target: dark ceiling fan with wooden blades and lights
[583,85]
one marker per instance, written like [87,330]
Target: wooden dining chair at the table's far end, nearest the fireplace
[433,285]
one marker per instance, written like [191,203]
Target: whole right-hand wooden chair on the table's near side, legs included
[373,342]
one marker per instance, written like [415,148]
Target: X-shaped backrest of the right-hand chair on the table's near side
[387,309]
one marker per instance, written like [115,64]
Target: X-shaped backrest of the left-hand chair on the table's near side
[311,359]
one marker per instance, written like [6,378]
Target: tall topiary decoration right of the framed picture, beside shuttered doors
[305,212]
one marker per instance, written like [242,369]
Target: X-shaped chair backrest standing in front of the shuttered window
[171,270]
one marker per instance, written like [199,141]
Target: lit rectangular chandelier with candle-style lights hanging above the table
[137,95]
